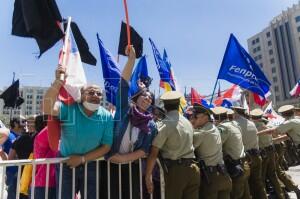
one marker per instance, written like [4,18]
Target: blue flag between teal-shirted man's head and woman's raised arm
[111,73]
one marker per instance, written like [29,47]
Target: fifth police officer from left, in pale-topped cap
[267,152]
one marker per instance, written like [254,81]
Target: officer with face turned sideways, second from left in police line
[208,148]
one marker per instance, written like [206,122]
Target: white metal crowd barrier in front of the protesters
[51,161]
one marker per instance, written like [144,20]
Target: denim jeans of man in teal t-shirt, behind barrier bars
[66,191]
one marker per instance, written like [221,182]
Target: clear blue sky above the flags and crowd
[194,32]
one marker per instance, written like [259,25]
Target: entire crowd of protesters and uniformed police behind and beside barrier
[204,153]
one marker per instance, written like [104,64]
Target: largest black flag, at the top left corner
[38,19]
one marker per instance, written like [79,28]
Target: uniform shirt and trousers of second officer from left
[208,146]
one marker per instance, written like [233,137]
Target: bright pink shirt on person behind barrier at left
[42,150]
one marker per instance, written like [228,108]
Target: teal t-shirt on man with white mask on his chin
[81,133]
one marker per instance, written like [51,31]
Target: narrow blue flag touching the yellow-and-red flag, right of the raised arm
[162,67]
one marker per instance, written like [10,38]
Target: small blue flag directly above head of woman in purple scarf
[139,73]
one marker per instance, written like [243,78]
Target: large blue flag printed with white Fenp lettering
[238,67]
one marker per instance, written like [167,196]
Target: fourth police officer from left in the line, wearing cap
[250,141]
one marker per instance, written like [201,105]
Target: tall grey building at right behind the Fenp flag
[276,50]
